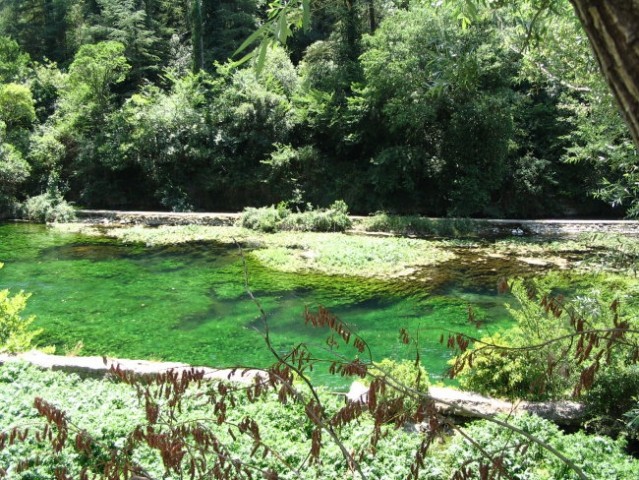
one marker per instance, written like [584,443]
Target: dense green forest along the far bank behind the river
[389,106]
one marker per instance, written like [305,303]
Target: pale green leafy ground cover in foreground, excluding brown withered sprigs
[109,412]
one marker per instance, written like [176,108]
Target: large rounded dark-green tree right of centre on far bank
[446,127]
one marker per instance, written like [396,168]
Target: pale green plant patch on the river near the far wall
[326,253]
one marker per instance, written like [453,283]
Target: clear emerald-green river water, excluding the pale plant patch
[188,303]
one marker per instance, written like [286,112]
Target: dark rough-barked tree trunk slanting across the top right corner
[612,27]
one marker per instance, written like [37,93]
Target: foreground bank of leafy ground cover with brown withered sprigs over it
[148,423]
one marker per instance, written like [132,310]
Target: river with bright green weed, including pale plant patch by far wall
[187,301]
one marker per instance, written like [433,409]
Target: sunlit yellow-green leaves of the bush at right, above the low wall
[539,358]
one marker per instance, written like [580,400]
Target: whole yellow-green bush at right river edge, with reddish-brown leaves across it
[559,348]
